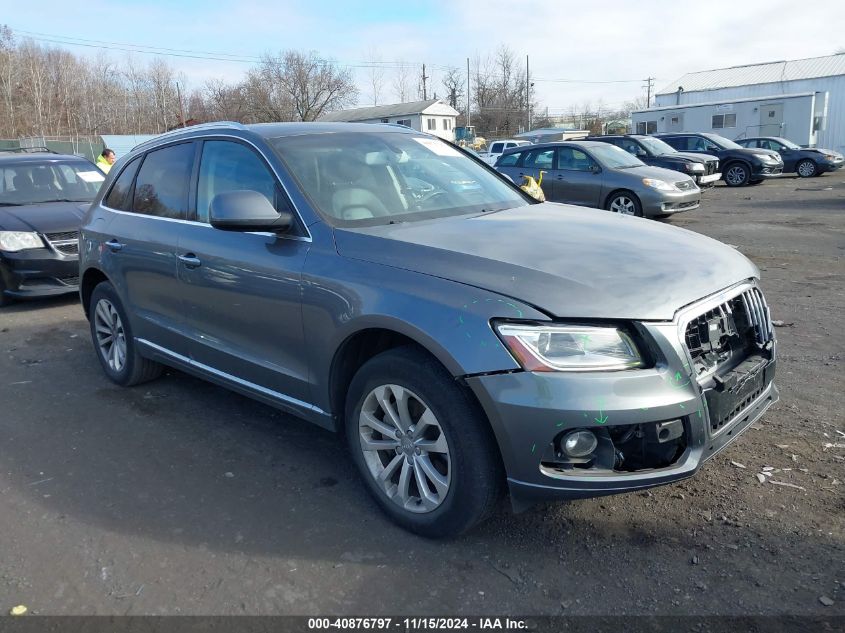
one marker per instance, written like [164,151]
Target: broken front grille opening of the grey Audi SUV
[730,331]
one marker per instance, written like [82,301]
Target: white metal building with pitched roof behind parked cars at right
[802,100]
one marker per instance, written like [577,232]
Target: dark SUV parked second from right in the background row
[740,166]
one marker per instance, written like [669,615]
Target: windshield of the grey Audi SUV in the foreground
[365,179]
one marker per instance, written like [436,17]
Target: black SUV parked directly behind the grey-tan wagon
[652,151]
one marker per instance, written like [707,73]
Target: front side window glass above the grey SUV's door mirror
[227,166]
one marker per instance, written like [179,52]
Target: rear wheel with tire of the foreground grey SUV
[114,345]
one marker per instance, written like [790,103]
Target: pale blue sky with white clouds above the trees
[568,43]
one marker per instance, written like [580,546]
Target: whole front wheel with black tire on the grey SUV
[468,480]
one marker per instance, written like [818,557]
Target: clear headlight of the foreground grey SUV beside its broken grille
[569,347]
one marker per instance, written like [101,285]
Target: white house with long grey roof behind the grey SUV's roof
[432,116]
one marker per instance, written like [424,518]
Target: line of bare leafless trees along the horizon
[50,91]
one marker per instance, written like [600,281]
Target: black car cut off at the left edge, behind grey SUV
[43,196]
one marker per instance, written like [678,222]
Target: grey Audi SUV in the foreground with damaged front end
[462,341]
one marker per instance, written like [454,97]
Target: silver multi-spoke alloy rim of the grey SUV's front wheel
[405,448]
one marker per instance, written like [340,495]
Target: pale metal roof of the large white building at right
[766,73]
